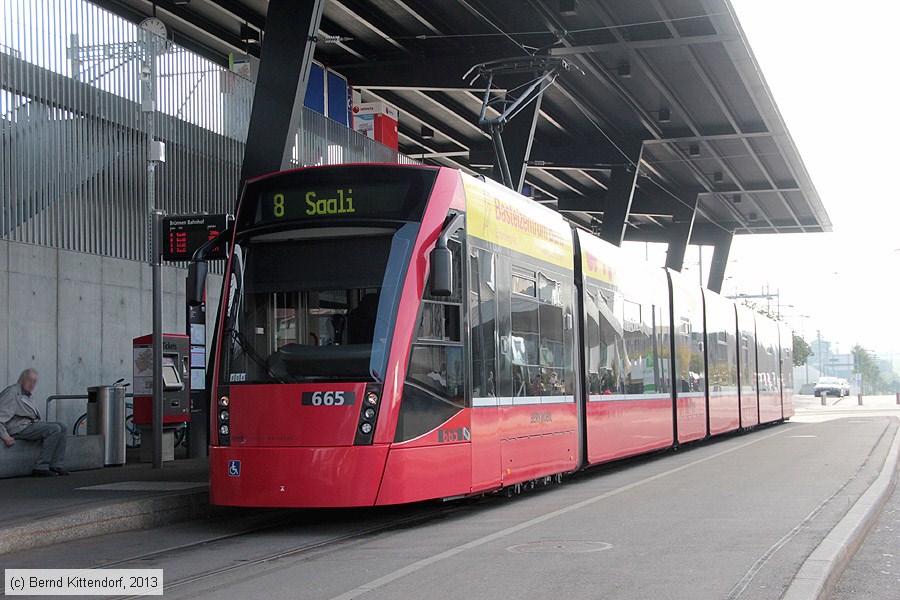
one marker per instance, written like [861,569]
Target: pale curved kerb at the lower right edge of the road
[823,568]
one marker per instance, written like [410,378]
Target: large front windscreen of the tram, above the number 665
[308,308]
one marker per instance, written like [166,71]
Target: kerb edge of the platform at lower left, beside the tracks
[135,514]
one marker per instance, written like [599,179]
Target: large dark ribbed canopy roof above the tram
[675,78]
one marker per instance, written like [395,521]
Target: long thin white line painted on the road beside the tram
[425,562]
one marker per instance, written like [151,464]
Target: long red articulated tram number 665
[391,334]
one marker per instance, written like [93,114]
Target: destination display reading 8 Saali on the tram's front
[357,200]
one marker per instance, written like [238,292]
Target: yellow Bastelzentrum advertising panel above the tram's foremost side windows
[499,216]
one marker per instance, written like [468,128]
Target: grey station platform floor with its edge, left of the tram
[43,511]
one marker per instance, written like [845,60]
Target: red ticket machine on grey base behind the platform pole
[176,390]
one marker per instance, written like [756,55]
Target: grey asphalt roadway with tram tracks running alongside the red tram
[730,519]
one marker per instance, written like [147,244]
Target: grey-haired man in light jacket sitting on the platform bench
[21,420]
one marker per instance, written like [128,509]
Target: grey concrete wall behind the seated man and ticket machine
[72,316]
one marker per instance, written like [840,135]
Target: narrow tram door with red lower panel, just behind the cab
[483,313]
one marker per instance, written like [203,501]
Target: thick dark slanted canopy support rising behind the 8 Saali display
[285,60]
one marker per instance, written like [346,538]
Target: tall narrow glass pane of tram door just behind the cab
[483,322]
